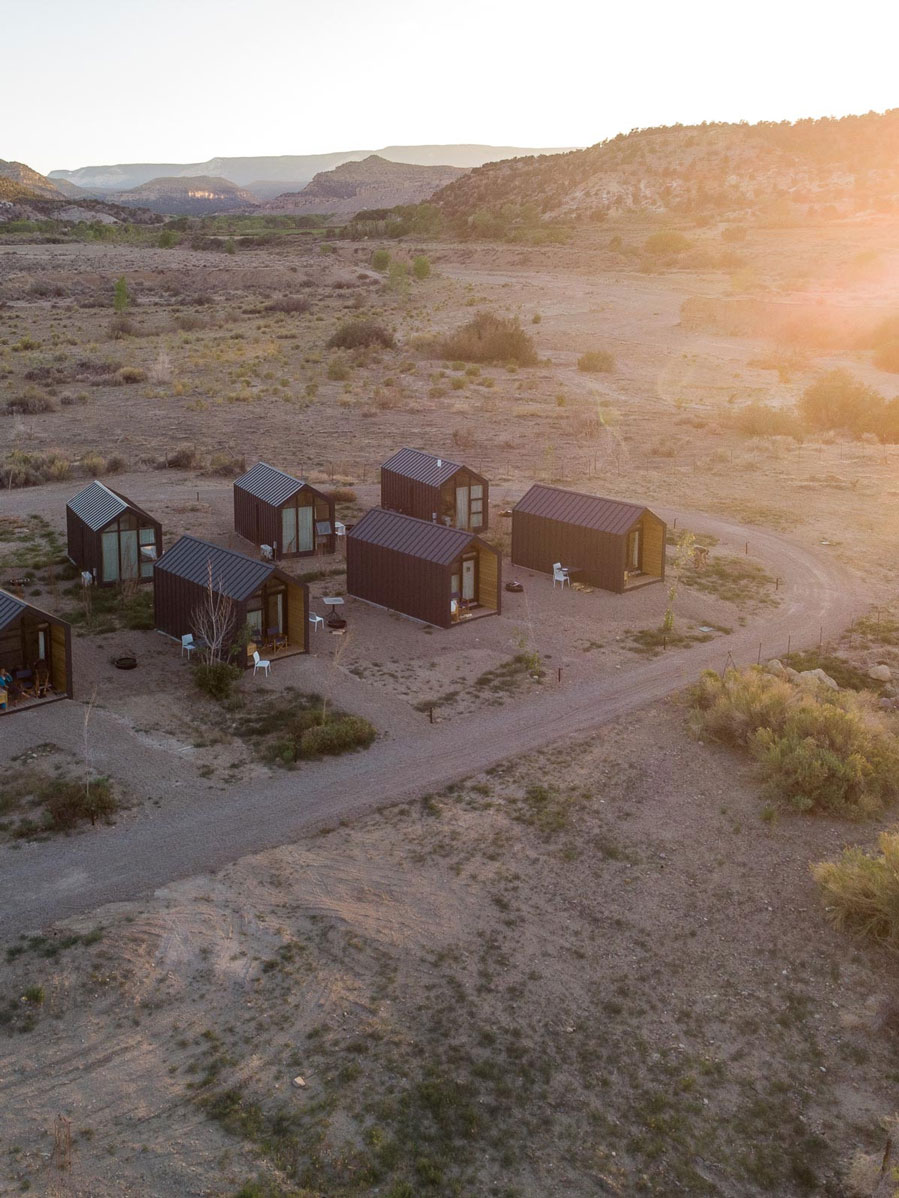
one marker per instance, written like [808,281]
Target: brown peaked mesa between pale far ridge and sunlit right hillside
[371,184]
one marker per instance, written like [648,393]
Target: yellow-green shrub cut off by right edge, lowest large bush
[862,890]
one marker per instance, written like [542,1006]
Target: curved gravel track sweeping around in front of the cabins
[43,884]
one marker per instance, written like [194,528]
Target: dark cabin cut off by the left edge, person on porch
[37,650]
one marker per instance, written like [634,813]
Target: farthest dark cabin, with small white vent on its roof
[419,485]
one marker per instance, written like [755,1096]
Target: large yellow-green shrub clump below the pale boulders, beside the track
[818,751]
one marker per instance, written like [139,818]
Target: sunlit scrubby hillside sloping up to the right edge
[844,165]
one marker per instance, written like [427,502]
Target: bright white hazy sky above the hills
[88,82]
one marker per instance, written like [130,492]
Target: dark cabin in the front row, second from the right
[424,570]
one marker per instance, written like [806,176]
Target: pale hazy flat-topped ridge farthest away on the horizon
[285,171]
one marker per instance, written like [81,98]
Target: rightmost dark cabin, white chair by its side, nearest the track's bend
[605,543]
